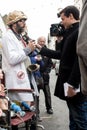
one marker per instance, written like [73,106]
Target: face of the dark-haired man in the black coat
[66,21]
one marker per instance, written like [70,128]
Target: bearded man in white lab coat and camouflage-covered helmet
[14,55]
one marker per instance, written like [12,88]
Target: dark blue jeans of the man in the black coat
[77,115]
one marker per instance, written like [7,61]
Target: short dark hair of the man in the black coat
[70,10]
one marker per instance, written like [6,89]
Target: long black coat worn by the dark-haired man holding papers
[69,67]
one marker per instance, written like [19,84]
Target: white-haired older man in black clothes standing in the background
[45,70]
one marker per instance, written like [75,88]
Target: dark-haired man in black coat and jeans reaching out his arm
[69,73]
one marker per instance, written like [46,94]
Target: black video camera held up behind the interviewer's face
[57,29]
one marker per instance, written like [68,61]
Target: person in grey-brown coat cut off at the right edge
[82,47]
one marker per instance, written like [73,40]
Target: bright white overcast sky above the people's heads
[40,13]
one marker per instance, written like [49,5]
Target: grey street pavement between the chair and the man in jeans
[59,119]
